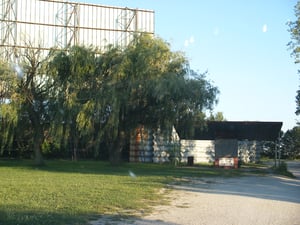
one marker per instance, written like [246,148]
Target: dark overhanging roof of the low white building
[241,130]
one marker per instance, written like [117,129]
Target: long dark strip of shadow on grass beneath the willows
[139,169]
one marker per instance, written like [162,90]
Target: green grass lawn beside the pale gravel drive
[66,192]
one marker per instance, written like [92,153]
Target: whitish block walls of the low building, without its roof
[154,146]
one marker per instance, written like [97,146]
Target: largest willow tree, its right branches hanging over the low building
[150,87]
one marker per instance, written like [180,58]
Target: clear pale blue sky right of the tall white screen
[241,44]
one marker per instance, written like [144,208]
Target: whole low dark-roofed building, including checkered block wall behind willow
[242,140]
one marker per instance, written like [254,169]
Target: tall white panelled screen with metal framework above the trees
[46,24]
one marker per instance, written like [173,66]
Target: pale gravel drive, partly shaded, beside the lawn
[247,200]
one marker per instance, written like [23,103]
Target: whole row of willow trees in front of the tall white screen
[80,102]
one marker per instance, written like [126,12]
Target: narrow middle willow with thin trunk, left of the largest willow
[73,74]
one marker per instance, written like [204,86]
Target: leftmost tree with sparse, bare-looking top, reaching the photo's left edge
[24,113]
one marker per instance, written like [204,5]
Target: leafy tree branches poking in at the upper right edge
[294,44]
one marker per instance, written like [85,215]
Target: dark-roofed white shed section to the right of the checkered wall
[218,139]
